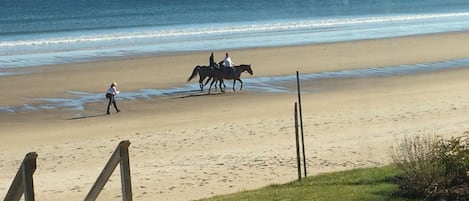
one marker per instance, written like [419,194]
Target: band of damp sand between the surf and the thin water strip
[316,58]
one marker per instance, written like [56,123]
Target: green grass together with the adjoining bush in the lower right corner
[424,168]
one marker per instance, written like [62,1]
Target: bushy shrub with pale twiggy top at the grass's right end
[433,168]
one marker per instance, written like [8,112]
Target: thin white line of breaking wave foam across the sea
[225,29]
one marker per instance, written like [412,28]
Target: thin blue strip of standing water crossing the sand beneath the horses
[77,100]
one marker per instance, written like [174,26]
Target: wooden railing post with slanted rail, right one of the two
[120,155]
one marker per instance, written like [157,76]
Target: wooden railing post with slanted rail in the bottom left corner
[23,181]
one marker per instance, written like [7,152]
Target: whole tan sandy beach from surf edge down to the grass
[192,145]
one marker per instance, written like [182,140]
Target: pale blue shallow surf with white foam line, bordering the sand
[52,48]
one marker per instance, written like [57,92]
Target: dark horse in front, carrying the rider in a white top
[227,73]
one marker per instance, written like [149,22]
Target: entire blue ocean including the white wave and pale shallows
[34,33]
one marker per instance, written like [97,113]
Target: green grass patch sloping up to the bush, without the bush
[369,184]
